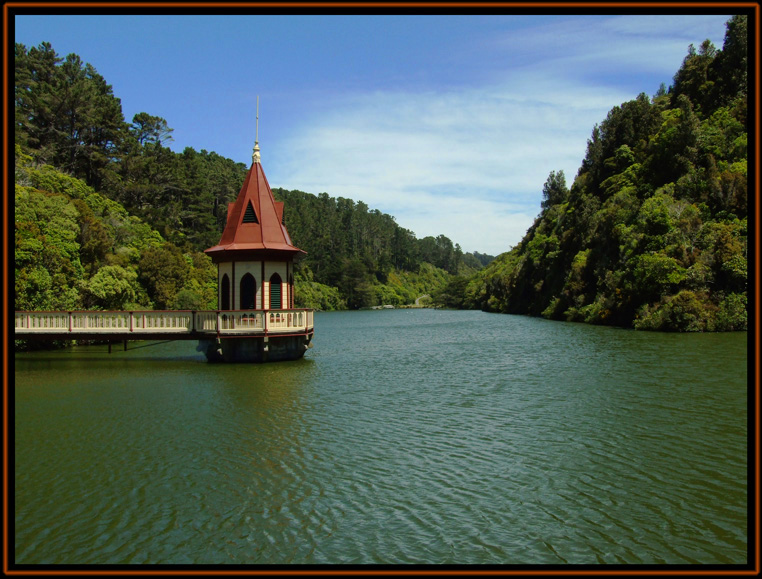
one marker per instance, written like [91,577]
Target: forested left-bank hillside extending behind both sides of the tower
[107,216]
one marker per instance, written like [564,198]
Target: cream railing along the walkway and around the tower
[178,323]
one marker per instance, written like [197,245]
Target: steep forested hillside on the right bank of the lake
[652,233]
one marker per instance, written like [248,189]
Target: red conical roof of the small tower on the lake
[255,220]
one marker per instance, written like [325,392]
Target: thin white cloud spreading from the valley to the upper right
[470,163]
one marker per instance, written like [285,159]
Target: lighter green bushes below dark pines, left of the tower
[76,249]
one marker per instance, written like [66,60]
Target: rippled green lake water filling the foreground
[404,436]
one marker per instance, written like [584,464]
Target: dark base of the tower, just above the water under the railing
[255,350]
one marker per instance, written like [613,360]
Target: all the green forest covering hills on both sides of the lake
[651,234]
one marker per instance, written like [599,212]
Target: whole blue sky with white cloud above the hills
[449,123]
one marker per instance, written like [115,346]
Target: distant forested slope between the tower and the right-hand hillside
[364,253]
